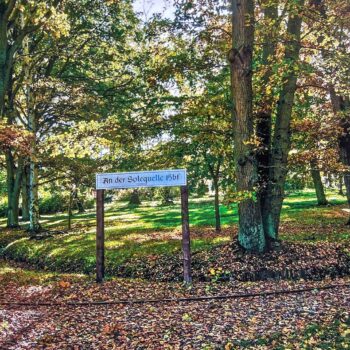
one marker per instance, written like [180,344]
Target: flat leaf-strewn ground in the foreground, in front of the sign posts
[317,318]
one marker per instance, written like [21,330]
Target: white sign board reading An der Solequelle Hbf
[156,178]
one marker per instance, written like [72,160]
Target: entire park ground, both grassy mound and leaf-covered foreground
[53,275]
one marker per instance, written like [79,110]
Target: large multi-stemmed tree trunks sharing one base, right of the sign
[276,146]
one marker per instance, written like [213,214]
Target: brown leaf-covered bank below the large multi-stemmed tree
[229,262]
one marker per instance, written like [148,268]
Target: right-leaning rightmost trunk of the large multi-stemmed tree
[282,134]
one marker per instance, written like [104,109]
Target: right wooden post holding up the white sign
[186,243]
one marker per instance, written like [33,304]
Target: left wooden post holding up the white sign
[100,236]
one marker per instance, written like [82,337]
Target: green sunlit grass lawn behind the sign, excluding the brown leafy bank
[151,230]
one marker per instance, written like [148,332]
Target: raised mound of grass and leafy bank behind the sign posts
[146,242]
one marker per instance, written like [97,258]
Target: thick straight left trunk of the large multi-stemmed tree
[250,232]
